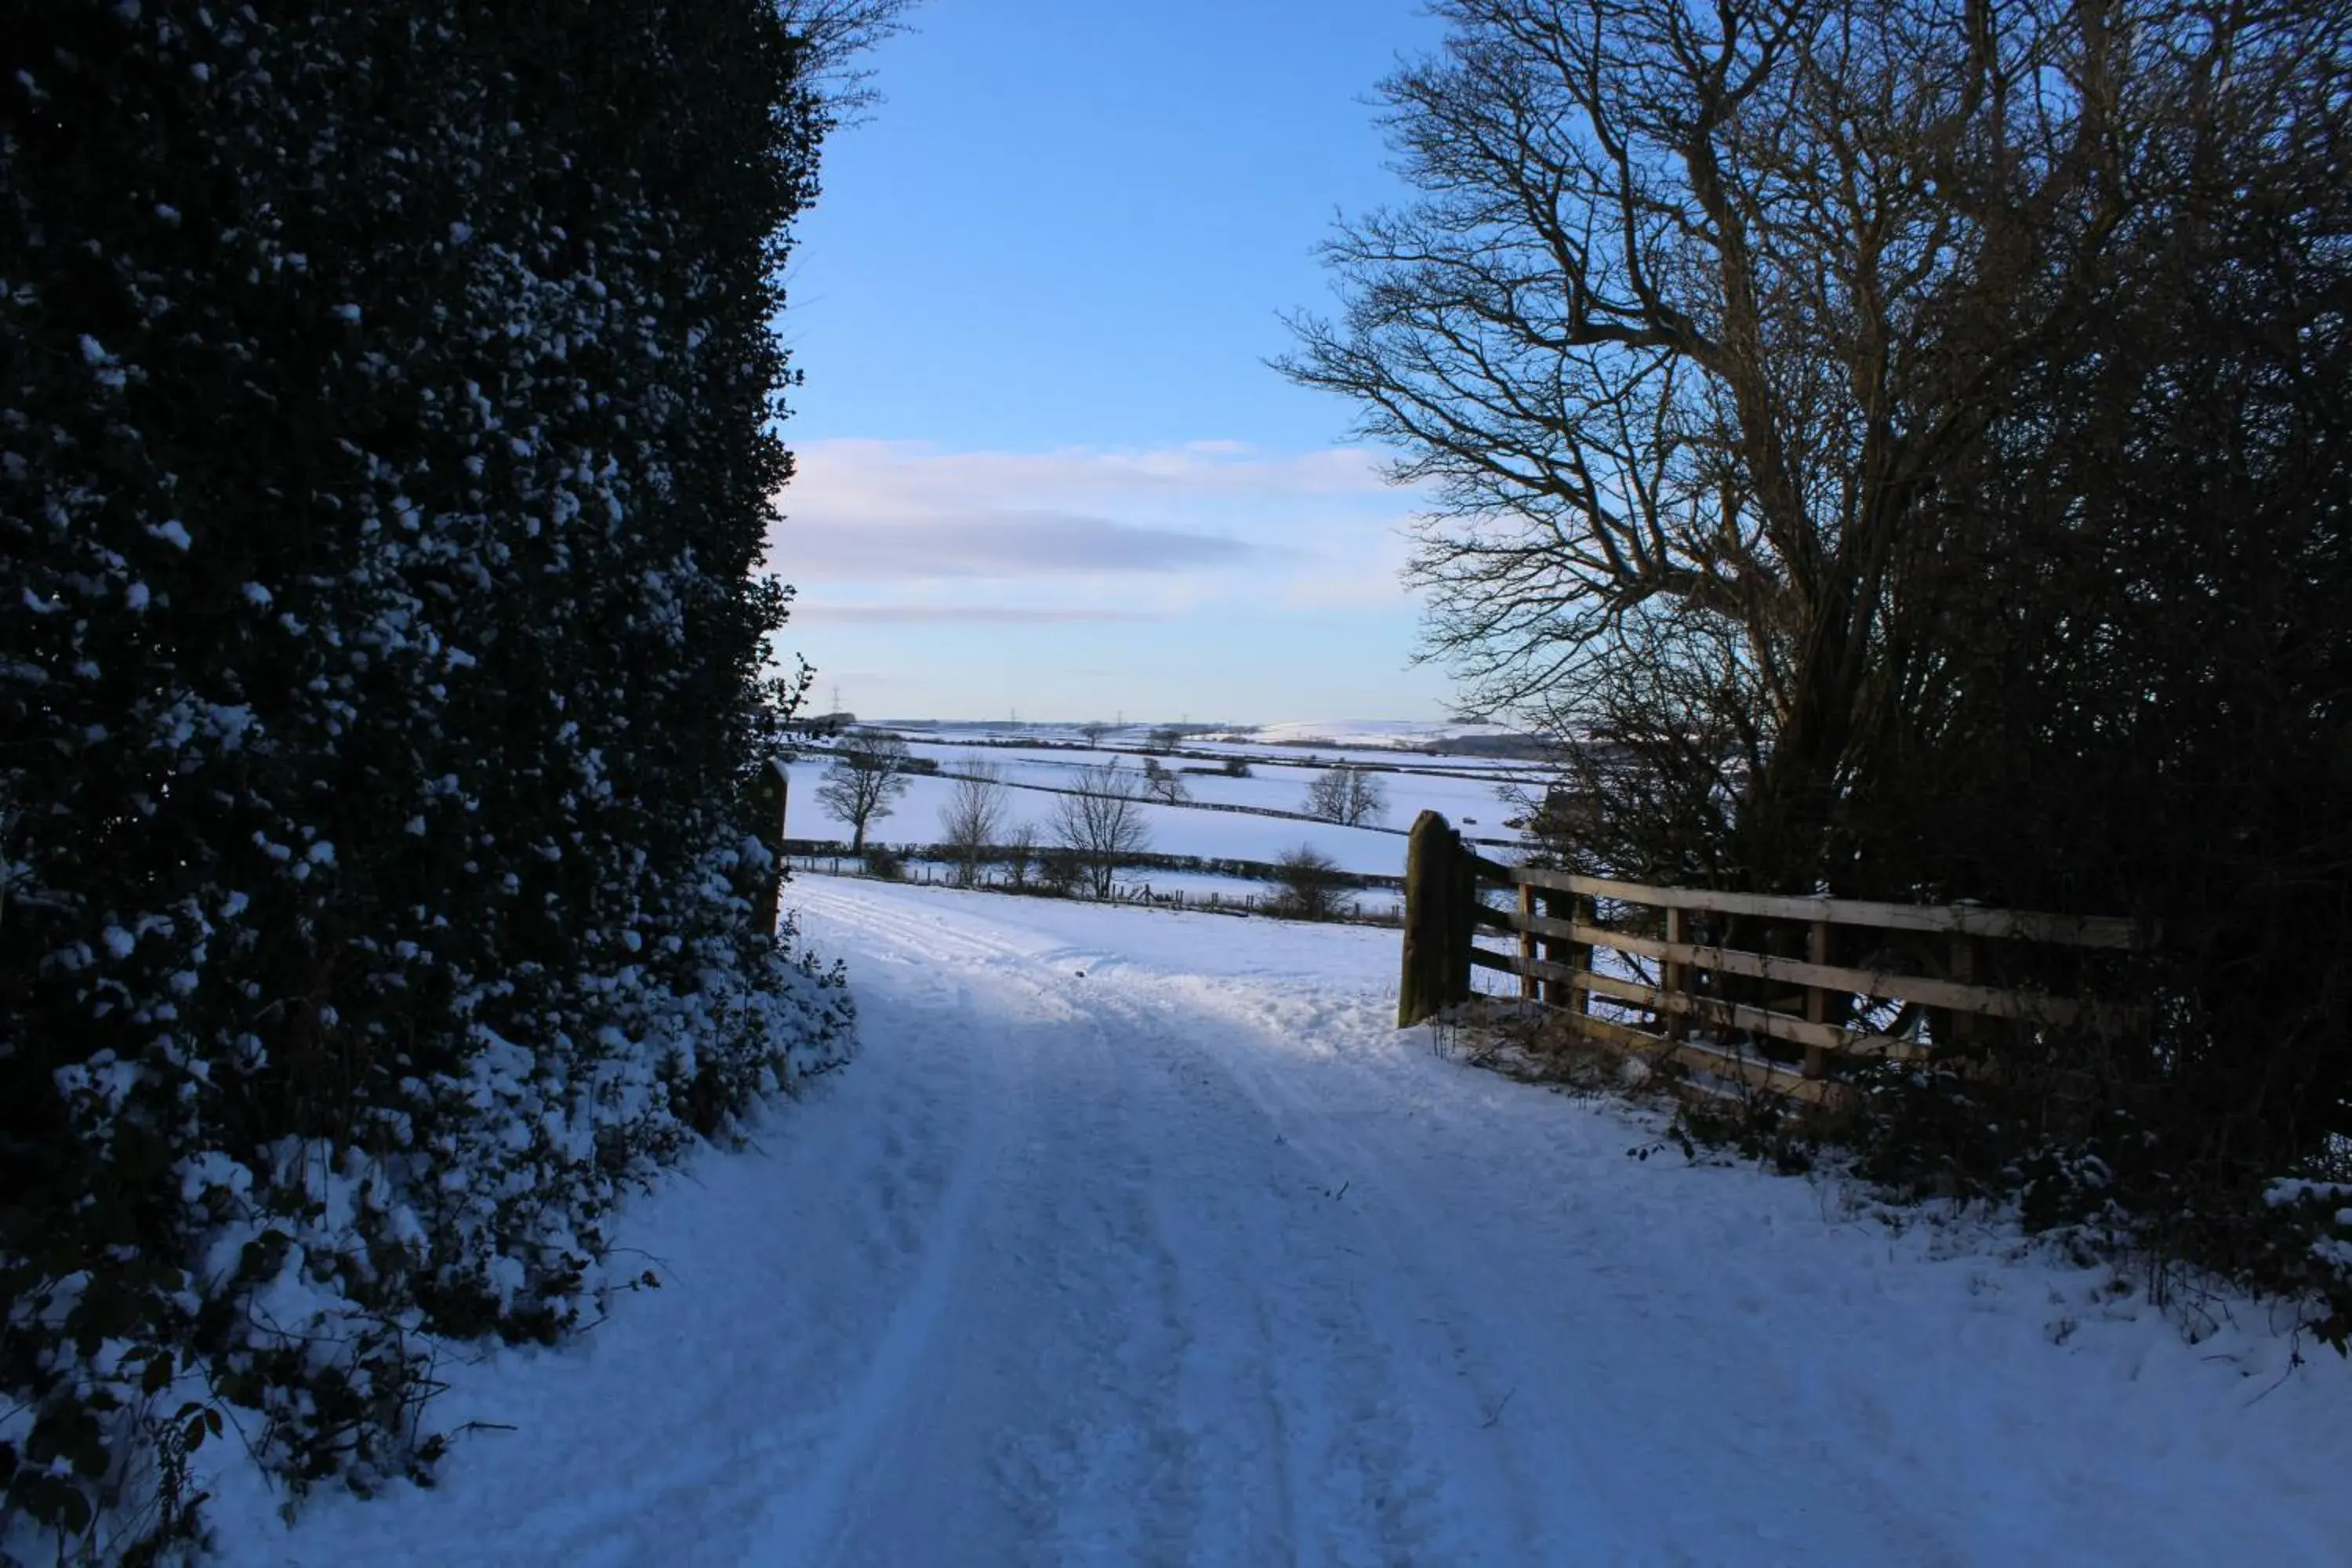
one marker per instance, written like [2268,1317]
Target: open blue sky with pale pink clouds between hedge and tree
[1043,464]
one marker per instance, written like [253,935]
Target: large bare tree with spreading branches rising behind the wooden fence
[1695,307]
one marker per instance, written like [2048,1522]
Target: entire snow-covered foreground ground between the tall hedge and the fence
[1144,1238]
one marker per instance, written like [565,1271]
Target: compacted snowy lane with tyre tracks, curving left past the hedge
[1168,1341]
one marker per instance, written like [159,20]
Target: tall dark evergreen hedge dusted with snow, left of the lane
[387,457]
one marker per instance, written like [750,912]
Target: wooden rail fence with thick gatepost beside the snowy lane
[1829,1010]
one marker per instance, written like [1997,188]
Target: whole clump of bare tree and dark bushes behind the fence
[1913,438]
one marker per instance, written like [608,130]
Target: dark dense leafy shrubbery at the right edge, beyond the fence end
[2141,697]
